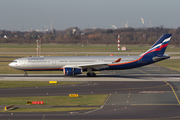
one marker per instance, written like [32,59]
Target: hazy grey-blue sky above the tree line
[38,14]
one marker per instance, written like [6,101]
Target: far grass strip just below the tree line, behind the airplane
[76,48]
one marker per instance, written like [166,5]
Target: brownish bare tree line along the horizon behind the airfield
[92,36]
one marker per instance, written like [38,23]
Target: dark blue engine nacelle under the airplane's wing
[72,71]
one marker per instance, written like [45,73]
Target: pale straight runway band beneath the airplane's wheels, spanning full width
[101,77]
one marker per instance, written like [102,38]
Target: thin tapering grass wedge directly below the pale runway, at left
[19,84]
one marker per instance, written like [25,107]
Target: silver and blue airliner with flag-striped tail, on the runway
[73,65]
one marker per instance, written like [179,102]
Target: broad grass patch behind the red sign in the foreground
[95,100]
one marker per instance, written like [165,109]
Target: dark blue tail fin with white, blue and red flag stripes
[159,46]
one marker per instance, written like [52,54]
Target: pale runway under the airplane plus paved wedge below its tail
[146,73]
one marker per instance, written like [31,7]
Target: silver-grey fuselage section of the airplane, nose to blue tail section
[59,62]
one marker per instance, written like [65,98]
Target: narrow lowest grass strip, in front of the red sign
[34,109]
